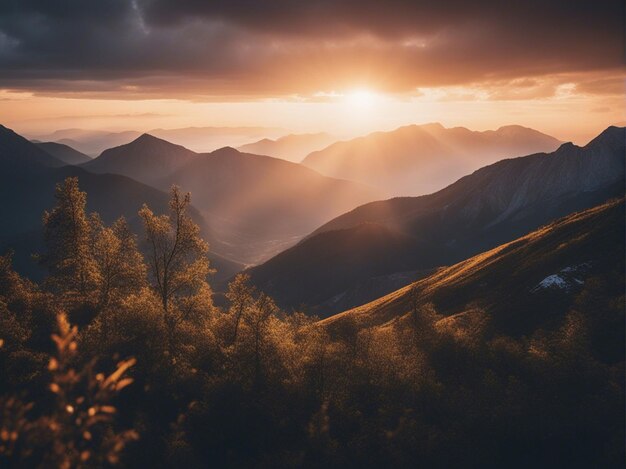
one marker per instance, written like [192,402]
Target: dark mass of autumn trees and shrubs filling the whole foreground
[121,357]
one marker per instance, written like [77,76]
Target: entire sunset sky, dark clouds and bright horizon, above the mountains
[344,66]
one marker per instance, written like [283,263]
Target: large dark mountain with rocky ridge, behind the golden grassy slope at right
[489,207]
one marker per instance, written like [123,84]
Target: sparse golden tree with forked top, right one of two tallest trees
[177,260]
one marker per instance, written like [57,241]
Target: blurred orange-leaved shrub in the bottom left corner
[73,428]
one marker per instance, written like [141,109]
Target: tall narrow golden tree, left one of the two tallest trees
[67,234]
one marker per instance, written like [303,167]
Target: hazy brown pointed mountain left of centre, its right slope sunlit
[255,205]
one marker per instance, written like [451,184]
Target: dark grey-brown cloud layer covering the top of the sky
[279,47]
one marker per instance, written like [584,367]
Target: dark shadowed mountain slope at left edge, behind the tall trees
[27,183]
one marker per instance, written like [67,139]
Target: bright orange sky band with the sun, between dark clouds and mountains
[566,113]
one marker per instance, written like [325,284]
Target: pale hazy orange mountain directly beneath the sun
[419,159]
